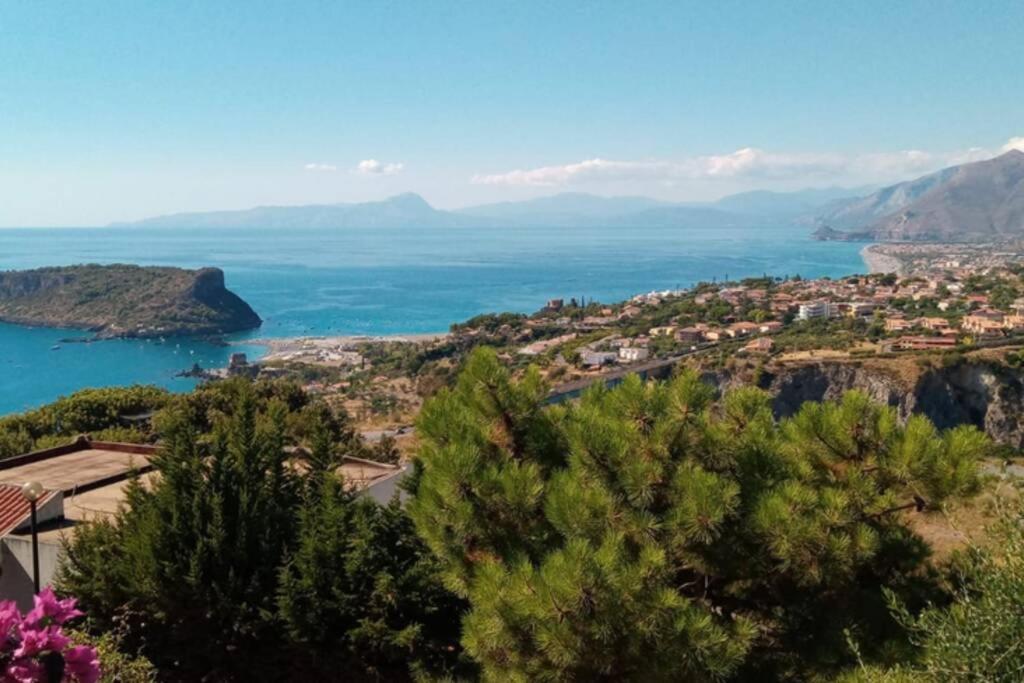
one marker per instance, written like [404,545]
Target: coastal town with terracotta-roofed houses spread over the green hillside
[919,300]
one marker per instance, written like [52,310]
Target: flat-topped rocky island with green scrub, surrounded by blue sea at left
[125,301]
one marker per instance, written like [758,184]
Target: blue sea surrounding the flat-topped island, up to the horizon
[321,282]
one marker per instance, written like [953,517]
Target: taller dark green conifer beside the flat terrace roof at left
[191,565]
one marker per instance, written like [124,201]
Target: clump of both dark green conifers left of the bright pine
[219,568]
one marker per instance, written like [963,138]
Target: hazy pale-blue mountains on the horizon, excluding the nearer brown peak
[566,210]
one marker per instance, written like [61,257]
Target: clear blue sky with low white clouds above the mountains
[113,111]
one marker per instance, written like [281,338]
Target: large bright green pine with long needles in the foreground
[652,534]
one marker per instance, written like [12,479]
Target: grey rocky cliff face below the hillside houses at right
[987,395]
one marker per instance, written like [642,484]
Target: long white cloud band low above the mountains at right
[749,163]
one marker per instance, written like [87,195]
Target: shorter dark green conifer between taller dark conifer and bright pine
[362,594]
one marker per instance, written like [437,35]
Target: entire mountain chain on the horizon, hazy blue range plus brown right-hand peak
[977,202]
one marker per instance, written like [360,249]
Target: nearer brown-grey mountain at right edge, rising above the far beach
[978,202]
